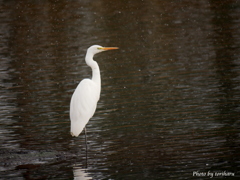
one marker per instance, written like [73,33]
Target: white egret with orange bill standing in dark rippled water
[85,97]
